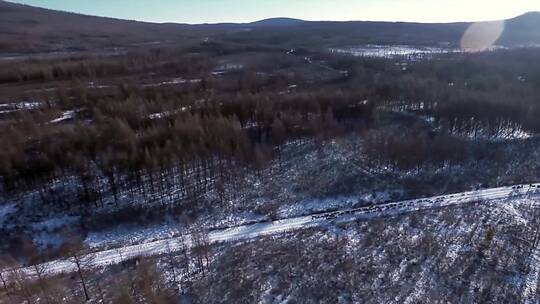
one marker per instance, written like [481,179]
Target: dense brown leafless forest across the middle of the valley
[126,136]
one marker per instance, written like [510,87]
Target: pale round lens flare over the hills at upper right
[481,36]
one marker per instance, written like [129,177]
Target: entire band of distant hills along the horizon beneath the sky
[26,29]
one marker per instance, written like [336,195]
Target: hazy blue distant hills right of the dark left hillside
[522,30]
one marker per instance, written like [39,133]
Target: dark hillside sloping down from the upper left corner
[30,29]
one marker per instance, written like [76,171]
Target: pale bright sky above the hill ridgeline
[214,11]
